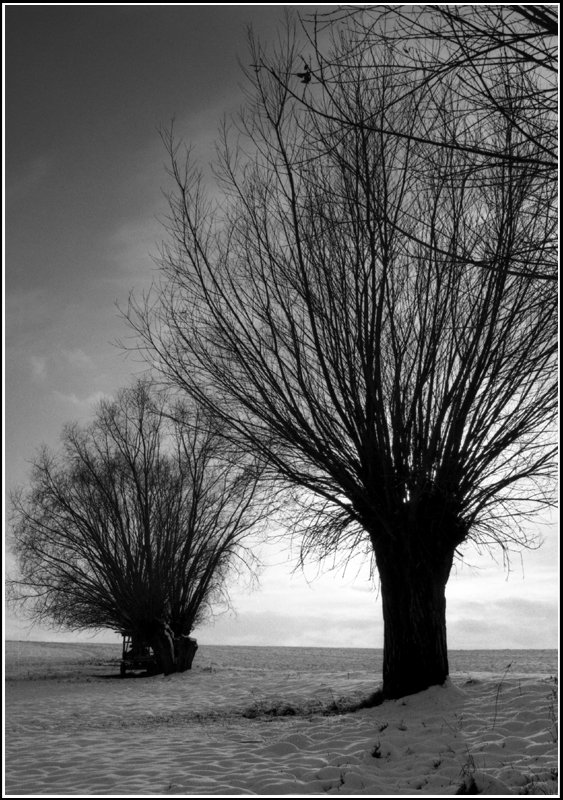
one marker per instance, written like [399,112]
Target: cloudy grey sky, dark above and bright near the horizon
[87,88]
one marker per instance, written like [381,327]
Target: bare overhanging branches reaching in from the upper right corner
[472,68]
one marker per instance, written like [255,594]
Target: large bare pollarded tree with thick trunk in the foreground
[356,310]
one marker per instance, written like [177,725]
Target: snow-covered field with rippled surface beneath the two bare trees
[270,721]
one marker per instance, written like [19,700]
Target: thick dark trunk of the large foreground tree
[413,584]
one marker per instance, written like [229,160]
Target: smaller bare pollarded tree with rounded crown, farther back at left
[135,525]
